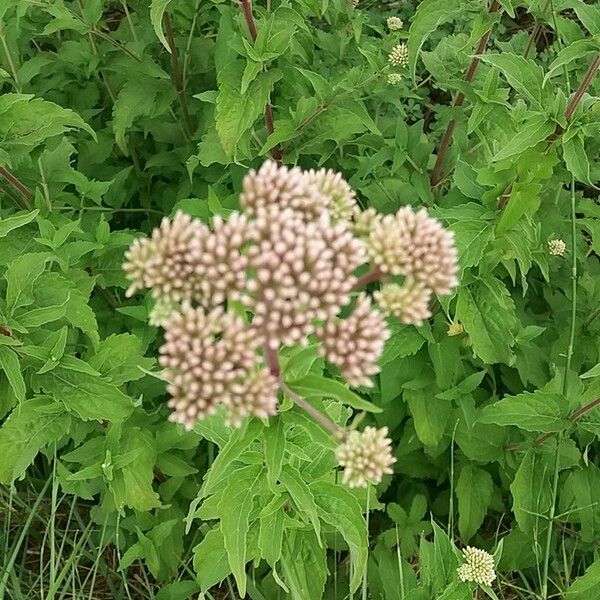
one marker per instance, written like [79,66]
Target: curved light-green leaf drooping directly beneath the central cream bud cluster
[340,509]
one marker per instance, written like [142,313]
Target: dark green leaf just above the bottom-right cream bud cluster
[474,493]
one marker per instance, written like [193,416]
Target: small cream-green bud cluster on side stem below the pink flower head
[366,457]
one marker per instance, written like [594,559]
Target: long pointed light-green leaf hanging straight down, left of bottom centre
[235,508]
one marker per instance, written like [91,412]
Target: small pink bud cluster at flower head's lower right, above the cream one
[355,344]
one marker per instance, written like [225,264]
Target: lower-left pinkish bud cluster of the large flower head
[209,359]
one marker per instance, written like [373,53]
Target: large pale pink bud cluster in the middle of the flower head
[304,273]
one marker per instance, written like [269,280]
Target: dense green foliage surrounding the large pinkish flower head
[115,113]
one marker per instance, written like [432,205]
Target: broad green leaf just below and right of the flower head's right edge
[487,313]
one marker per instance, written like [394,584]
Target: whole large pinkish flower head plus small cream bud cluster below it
[280,271]
